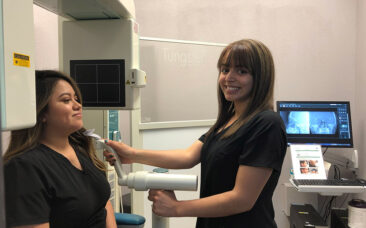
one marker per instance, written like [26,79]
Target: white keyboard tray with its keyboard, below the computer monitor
[329,186]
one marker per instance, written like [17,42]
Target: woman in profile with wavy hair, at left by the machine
[52,175]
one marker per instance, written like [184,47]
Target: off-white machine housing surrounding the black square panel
[106,40]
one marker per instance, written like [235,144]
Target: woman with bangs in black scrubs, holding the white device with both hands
[241,155]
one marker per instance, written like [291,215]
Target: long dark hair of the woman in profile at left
[26,139]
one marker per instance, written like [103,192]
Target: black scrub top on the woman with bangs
[261,142]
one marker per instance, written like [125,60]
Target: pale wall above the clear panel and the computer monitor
[313,42]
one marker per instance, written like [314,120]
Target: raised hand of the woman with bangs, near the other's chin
[125,152]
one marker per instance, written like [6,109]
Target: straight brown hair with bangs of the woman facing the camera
[257,59]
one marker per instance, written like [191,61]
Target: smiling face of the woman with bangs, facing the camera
[236,83]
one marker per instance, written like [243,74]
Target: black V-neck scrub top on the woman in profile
[42,186]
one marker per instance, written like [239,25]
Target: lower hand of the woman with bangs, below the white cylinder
[164,202]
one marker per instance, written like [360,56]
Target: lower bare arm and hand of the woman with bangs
[249,183]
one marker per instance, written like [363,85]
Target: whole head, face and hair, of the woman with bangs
[246,78]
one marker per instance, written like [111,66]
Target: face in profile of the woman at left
[64,112]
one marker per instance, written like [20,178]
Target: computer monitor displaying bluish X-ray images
[327,123]
